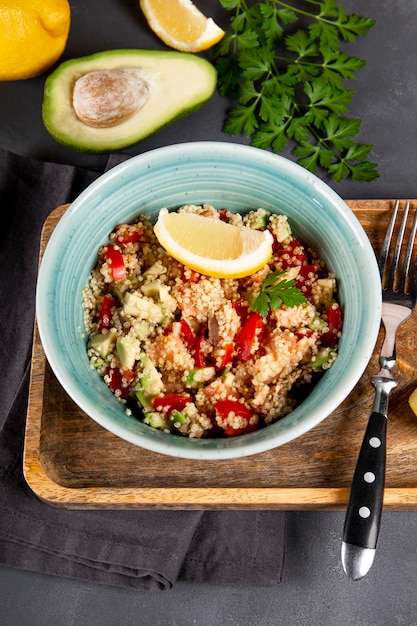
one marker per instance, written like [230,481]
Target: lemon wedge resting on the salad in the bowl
[212,247]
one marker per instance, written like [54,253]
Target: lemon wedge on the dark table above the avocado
[181,25]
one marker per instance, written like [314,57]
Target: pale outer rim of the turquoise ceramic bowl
[244,445]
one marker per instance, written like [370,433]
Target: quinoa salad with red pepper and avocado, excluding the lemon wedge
[199,356]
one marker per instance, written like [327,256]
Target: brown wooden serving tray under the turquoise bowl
[72,462]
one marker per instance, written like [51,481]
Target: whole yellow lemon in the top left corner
[33,35]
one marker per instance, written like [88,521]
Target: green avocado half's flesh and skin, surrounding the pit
[177,83]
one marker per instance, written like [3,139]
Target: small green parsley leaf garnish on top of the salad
[276,291]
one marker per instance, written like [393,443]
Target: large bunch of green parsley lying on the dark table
[284,67]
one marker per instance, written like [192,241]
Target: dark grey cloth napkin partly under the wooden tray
[137,549]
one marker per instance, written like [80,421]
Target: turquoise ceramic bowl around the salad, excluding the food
[222,174]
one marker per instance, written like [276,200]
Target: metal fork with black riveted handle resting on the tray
[399,295]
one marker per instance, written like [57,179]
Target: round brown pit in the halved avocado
[106,98]
